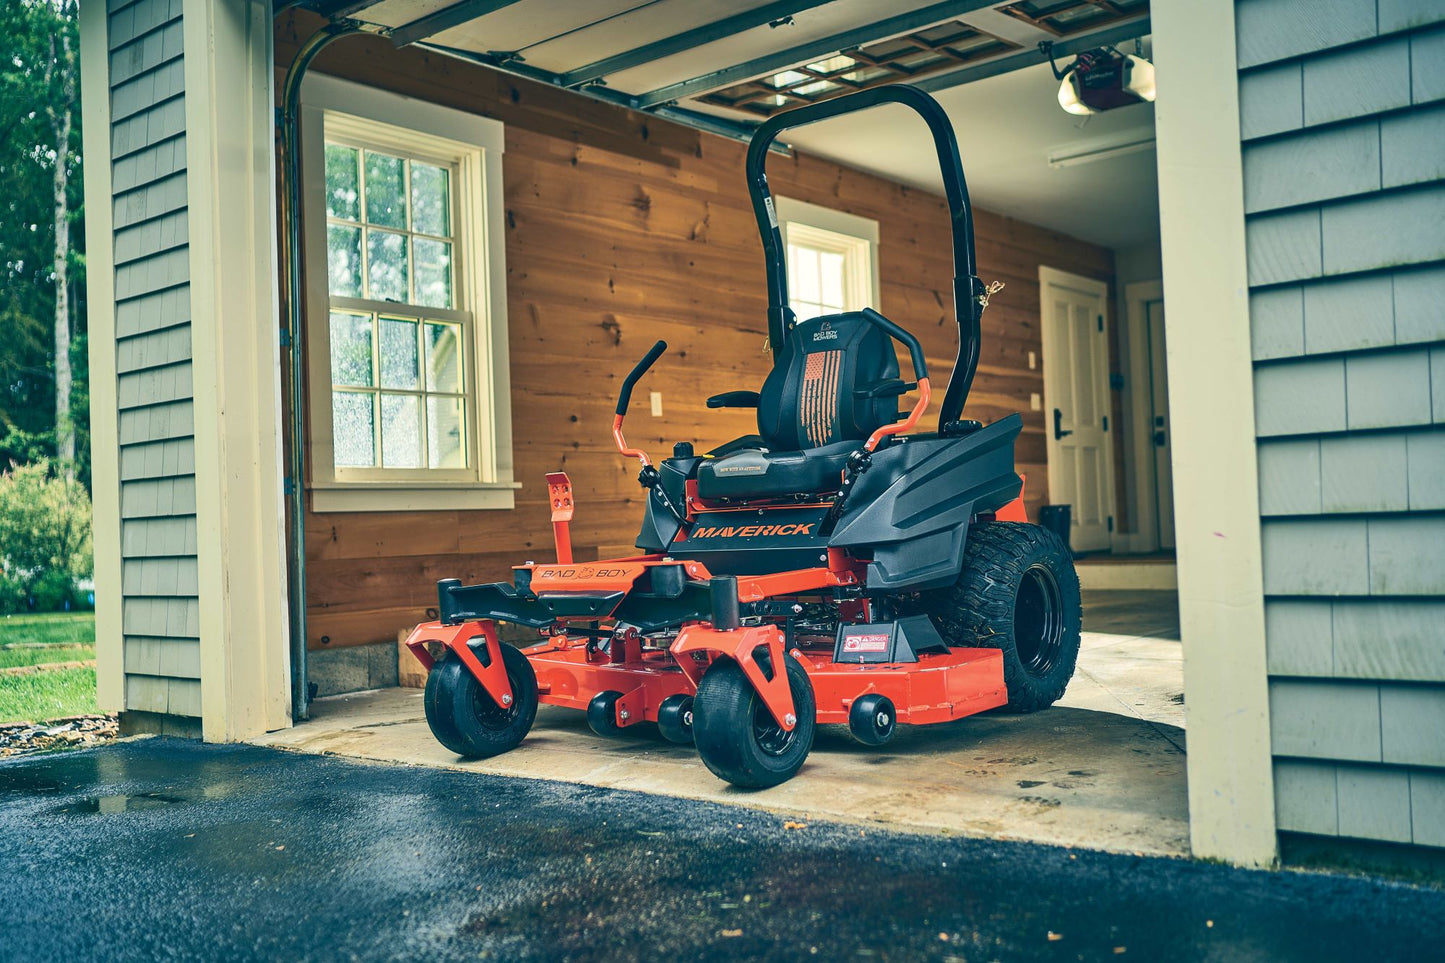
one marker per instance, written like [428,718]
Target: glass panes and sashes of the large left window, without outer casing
[398,381]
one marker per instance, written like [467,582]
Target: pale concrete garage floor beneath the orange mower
[1102,770]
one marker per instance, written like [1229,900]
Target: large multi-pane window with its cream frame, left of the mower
[407,303]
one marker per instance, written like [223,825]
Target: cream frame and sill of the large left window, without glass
[473,147]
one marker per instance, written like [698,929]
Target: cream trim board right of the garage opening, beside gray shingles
[1212,411]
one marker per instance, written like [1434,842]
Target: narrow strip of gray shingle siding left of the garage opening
[151,234]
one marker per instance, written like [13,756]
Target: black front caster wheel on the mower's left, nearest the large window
[482,728]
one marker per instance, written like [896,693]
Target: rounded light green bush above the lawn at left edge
[46,539]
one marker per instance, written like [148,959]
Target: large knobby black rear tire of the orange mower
[1019,594]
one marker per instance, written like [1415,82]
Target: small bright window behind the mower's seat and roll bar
[832,260]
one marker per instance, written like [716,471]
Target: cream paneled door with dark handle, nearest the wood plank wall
[1076,398]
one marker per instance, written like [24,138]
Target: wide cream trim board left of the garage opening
[236,349]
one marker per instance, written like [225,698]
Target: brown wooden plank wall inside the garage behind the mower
[624,229]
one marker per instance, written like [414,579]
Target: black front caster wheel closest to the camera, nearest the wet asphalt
[739,740]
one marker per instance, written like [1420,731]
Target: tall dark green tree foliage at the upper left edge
[31,89]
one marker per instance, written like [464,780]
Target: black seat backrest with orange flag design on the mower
[808,398]
